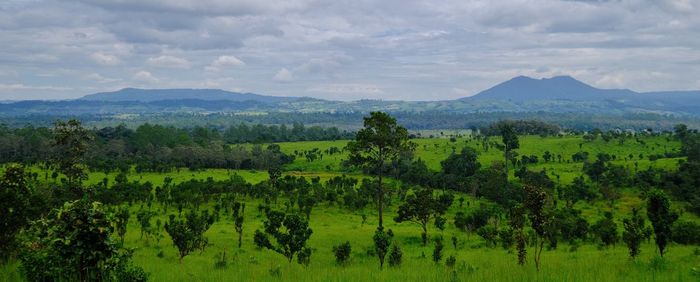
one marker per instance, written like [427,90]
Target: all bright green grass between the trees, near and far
[333,225]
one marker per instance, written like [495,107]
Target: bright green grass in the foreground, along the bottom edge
[333,225]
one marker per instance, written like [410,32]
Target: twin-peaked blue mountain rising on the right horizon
[526,89]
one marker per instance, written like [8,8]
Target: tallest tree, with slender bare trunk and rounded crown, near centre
[381,141]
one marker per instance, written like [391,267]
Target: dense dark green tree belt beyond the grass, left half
[160,148]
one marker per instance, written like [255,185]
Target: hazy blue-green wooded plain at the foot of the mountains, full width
[352,121]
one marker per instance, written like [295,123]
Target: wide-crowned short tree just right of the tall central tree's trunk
[423,206]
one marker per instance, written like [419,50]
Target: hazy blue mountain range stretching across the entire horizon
[560,94]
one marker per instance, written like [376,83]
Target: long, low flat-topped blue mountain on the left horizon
[152,95]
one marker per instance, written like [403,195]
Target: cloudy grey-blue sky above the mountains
[343,50]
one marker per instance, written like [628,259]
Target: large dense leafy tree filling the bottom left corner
[74,244]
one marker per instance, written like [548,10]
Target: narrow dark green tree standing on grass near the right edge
[661,217]
